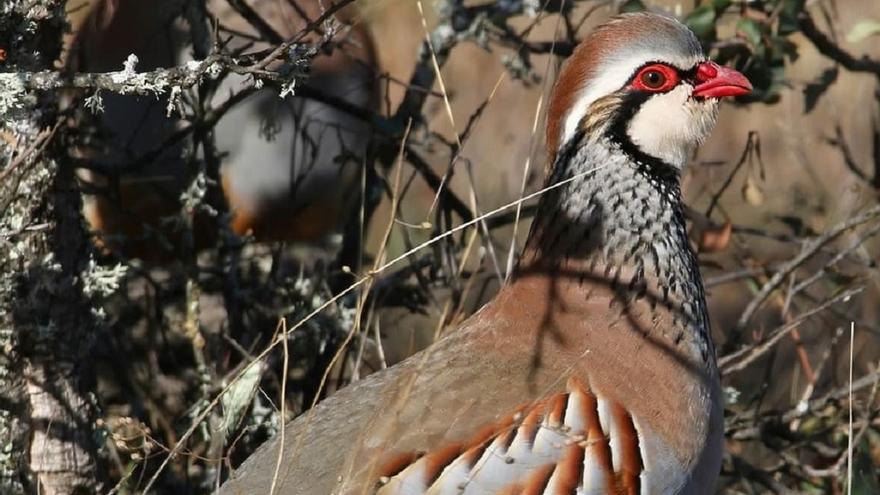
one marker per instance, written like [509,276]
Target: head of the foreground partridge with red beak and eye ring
[643,81]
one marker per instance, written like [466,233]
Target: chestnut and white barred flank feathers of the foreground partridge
[557,445]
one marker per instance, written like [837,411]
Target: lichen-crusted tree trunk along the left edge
[47,322]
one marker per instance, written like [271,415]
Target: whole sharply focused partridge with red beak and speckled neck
[592,371]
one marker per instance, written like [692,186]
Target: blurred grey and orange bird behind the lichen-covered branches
[287,166]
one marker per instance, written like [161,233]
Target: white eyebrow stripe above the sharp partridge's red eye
[613,75]
